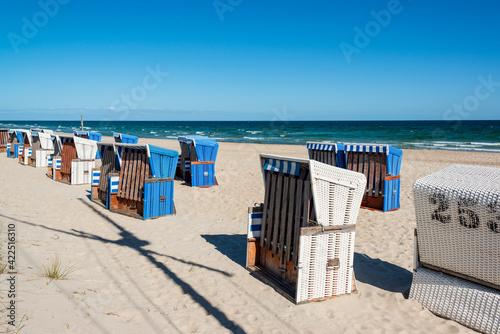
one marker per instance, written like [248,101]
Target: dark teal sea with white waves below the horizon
[481,136]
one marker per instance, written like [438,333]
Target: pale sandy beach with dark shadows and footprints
[186,273]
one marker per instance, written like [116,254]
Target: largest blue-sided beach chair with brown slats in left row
[135,180]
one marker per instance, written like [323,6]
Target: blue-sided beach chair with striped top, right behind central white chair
[381,165]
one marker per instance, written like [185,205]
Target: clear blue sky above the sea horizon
[249,60]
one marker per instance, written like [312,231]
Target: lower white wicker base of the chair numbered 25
[470,304]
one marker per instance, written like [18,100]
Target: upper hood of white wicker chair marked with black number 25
[458,220]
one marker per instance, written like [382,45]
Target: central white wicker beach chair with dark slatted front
[301,239]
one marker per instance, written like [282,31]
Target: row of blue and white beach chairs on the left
[133,179]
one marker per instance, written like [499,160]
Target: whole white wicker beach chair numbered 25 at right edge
[457,245]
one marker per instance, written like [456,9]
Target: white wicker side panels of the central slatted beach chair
[337,195]
